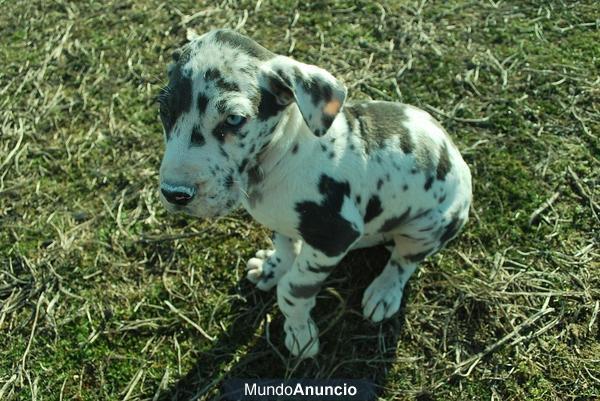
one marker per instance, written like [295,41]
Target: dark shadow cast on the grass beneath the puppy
[351,347]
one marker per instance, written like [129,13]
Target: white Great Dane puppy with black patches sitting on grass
[244,125]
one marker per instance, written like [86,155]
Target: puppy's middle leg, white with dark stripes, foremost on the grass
[296,294]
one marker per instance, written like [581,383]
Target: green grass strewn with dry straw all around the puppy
[103,296]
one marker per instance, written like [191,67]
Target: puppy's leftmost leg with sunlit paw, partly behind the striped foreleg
[268,265]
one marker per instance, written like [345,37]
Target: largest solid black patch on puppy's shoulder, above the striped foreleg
[321,224]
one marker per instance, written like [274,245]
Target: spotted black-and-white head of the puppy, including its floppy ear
[225,97]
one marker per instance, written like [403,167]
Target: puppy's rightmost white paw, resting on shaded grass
[382,299]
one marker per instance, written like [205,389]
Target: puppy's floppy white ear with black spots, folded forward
[317,93]
